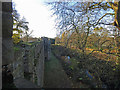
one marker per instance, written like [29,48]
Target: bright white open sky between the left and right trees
[39,17]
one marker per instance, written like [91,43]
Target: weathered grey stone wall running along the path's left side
[29,61]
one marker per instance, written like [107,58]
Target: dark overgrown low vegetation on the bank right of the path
[92,71]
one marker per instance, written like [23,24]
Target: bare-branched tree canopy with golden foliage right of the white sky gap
[83,20]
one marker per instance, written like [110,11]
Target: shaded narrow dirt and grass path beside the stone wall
[55,76]
